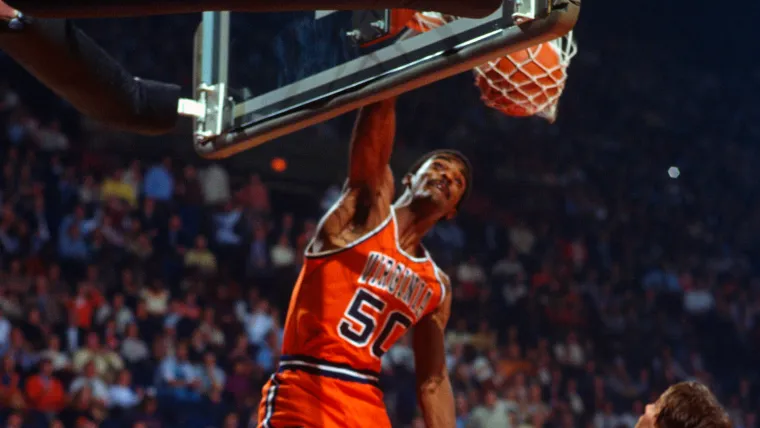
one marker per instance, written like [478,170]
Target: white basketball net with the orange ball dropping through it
[525,83]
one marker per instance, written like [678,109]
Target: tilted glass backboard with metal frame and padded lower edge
[341,78]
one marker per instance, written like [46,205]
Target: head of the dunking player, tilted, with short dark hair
[441,179]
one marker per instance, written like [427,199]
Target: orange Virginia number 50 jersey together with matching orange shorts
[348,308]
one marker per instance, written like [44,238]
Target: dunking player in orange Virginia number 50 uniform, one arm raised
[366,281]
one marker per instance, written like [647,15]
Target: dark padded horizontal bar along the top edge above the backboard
[122,8]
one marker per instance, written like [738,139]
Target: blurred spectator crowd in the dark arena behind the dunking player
[599,260]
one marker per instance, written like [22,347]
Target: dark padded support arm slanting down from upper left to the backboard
[71,64]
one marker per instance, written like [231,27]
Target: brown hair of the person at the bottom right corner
[690,405]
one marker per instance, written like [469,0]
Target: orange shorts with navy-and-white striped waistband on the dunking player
[317,394]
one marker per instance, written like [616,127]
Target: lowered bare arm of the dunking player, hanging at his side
[434,392]
